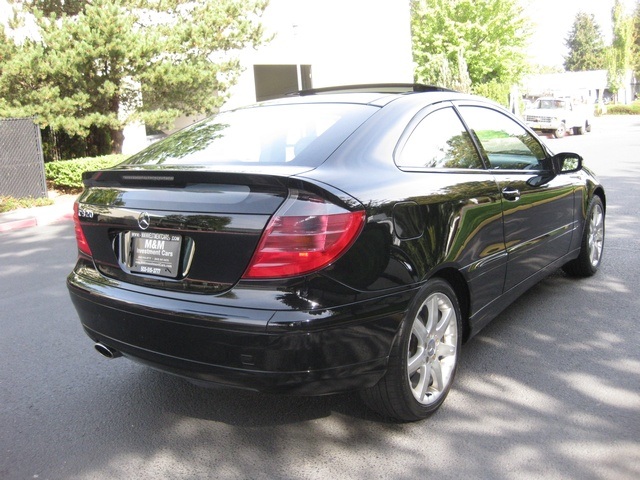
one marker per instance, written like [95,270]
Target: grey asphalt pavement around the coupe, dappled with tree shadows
[550,389]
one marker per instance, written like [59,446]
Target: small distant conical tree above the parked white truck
[586,45]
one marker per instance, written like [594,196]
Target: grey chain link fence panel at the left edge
[21,161]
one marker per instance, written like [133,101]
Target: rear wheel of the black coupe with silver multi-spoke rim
[424,357]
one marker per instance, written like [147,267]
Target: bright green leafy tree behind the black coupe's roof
[490,36]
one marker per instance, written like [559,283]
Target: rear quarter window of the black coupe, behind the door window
[439,141]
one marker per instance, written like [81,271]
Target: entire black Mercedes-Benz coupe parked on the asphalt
[332,240]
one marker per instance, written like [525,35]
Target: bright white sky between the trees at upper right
[553,20]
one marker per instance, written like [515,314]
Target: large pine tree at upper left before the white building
[101,64]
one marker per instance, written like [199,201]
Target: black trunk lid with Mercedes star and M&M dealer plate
[187,230]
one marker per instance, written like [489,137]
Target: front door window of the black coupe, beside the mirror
[506,144]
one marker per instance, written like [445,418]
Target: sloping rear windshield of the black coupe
[300,134]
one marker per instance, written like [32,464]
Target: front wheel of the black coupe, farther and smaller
[592,245]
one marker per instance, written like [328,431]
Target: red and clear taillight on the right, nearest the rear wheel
[306,234]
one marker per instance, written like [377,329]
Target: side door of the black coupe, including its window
[537,210]
